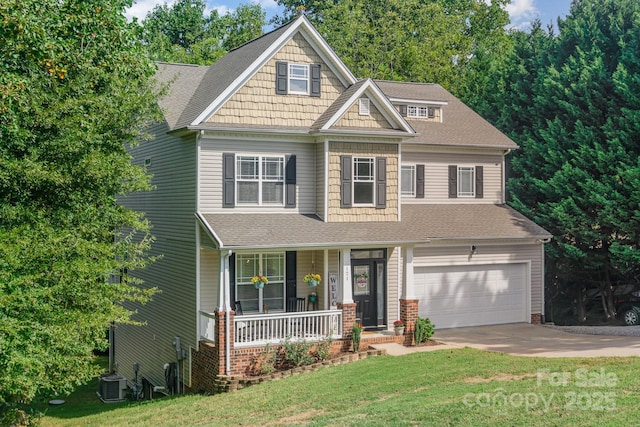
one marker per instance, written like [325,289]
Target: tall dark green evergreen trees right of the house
[570,101]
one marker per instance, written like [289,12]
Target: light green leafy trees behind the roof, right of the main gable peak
[407,40]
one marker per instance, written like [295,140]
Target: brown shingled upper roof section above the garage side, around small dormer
[461,126]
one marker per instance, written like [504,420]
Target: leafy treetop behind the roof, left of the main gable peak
[183,33]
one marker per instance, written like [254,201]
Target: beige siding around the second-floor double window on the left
[211,173]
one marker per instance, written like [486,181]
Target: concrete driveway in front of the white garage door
[524,339]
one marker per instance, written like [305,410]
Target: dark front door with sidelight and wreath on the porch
[369,282]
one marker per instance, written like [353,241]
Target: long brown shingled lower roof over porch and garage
[420,224]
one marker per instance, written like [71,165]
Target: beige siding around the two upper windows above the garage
[436,175]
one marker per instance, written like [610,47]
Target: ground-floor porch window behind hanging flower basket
[271,265]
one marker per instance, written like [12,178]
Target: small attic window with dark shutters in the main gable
[298,79]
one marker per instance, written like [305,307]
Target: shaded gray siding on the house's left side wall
[170,209]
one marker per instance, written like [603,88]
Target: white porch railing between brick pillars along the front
[261,329]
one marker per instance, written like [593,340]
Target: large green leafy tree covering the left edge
[75,90]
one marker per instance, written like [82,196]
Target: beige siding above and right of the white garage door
[488,253]
